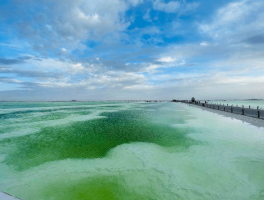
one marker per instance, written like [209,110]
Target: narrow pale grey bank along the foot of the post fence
[251,120]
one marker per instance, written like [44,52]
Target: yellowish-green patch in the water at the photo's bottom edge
[106,187]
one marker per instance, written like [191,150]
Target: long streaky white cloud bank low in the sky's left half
[52,73]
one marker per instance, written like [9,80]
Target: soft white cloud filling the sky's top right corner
[236,21]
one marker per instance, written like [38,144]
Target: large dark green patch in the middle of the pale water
[92,139]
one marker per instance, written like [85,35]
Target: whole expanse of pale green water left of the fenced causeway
[127,151]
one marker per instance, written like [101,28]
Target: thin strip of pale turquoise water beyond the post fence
[245,103]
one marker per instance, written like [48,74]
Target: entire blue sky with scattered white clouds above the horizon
[131,49]
